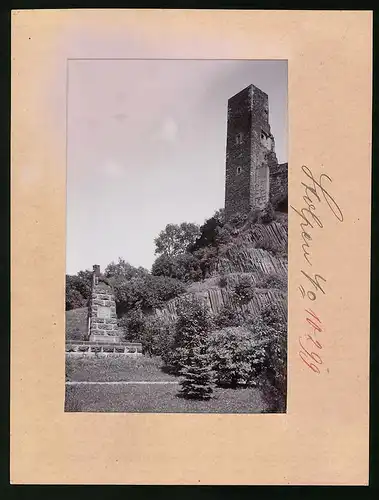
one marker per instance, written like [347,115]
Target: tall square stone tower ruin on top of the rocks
[250,151]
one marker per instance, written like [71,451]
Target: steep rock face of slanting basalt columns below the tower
[256,255]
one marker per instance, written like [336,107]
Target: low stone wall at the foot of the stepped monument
[88,348]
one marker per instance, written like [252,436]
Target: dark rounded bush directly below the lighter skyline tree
[184,267]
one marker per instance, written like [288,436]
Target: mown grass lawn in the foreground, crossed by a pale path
[144,398]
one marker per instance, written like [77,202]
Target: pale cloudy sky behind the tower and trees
[146,147]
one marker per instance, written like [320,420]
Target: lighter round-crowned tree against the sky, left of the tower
[176,238]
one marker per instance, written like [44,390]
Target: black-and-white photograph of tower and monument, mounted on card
[177,236]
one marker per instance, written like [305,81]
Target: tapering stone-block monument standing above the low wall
[102,318]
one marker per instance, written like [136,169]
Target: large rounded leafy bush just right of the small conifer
[236,356]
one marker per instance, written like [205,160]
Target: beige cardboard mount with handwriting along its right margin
[323,438]
